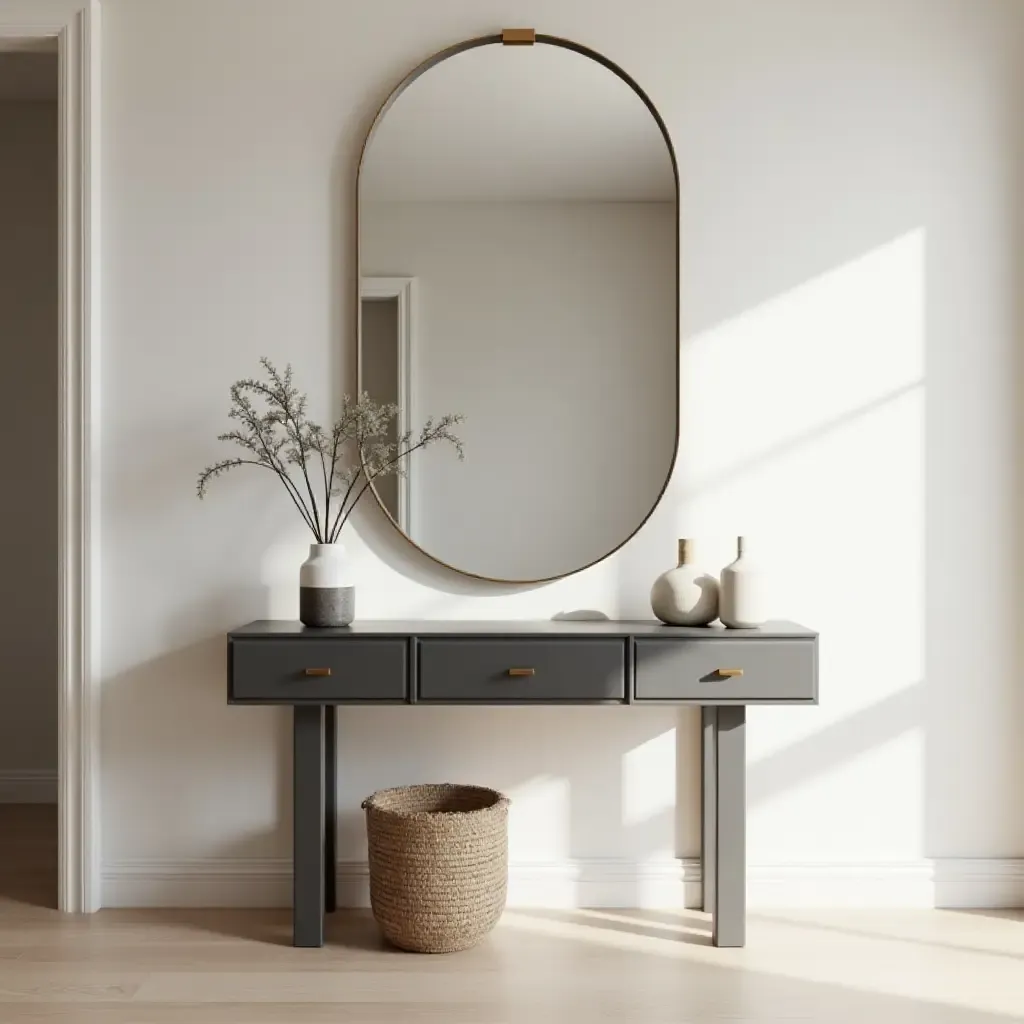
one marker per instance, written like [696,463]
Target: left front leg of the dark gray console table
[308,845]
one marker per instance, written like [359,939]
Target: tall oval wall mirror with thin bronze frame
[519,265]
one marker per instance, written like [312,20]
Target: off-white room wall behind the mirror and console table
[851,262]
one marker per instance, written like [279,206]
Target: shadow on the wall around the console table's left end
[177,803]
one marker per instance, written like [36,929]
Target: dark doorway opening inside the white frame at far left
[30,316]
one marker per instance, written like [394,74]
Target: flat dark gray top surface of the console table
[541,628]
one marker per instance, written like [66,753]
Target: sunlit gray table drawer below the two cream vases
[754,671]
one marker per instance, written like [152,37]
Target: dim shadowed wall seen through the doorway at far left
[28,508]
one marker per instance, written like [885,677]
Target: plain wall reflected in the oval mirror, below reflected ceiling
[551,327]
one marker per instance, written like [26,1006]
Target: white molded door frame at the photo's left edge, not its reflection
[75,30]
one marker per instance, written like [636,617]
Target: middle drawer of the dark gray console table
[522,671]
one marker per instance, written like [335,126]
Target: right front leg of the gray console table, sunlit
[731,819]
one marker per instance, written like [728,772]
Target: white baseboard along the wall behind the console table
[592,883]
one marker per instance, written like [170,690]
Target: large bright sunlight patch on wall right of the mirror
[803,429]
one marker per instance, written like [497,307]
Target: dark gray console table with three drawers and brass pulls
[548,663]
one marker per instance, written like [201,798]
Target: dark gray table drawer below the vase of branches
[283,671]
